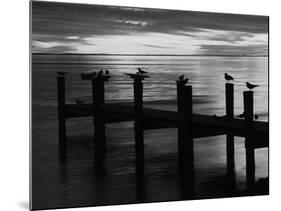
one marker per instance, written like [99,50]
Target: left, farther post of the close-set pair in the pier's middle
[180,106]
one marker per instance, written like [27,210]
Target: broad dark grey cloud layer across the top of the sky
[85,20]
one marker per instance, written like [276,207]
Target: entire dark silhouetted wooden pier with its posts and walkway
[190,126]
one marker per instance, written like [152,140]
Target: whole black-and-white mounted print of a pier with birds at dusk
[134,105]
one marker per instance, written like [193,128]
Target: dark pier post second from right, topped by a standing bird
[229,101]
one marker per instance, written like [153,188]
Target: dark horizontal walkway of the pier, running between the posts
[205,125]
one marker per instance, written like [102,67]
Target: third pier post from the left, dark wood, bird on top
[138,126]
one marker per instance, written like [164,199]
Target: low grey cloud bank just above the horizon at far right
[252,50]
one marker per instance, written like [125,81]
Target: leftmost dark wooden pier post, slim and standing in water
[61,114]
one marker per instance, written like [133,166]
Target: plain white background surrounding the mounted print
[14,92]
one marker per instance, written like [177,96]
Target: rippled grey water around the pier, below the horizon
[76,182]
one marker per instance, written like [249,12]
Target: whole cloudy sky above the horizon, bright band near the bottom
[83,28]
